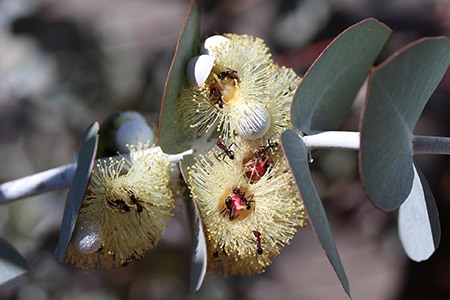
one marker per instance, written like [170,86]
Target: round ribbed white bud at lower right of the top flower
[254,122]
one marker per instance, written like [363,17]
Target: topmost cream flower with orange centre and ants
[243,82]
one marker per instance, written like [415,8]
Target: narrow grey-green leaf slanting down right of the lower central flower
[297,156]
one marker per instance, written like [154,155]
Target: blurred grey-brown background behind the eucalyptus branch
[65,64]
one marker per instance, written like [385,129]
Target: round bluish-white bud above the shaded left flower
[133,133]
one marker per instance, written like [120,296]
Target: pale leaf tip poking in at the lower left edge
[12,264]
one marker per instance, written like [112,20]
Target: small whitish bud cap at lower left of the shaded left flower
[86,240]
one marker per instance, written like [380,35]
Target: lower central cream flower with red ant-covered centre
[246,221]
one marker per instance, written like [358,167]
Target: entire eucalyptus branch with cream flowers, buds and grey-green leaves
[214,91]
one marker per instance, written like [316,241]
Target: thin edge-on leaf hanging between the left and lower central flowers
[199,258]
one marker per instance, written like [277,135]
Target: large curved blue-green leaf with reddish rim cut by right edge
[399,88]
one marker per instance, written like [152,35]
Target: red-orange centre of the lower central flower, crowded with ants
[236,203]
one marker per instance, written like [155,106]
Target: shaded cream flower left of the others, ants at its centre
[129,203]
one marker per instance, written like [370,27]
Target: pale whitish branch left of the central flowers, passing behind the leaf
[53,179]
